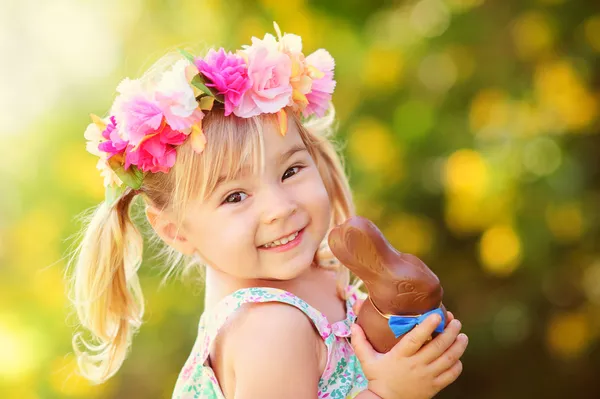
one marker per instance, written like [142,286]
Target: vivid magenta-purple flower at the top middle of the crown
[228,74]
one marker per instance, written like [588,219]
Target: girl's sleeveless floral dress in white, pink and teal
[343,377]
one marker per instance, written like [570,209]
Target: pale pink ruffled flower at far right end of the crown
[322,86]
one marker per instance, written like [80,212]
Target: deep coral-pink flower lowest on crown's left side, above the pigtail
[156,153]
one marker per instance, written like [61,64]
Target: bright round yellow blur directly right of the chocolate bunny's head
[500,250]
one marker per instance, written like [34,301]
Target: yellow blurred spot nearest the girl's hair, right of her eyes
[372,147]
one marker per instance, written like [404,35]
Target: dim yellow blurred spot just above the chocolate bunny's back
[410,233]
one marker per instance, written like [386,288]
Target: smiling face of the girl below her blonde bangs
[242,228]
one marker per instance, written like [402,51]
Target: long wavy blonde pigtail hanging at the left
[106,291]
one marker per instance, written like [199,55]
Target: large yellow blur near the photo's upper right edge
[560,90]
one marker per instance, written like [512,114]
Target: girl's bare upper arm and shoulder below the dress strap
[274,352]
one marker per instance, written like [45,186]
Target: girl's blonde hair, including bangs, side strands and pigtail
[106,290]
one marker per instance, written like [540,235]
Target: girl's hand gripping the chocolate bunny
[411,369]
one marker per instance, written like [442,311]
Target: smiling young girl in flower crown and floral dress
[231,156]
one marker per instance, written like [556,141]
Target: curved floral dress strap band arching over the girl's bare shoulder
[212,321]
